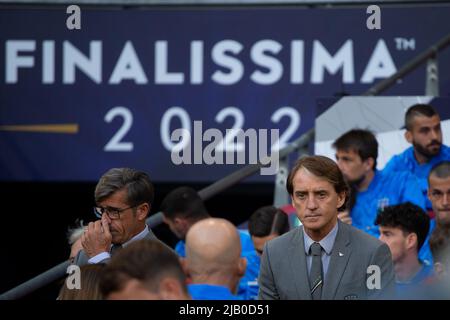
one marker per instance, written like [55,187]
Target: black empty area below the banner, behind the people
[36,216]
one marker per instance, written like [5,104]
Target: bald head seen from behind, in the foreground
[212,245]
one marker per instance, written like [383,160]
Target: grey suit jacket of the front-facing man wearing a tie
[284,275]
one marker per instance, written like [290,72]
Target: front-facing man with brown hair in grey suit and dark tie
[323,258]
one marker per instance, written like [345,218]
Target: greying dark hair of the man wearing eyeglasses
[137,183]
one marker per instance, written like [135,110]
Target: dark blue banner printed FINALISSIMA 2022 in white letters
[76,102]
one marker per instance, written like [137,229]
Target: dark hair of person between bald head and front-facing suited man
[268,220]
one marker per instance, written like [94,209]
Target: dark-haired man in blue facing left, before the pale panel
[356,156]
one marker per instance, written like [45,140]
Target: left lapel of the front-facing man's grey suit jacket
[297,258]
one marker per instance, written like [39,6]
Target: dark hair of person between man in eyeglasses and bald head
[184,202]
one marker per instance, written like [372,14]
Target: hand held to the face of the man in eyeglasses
[97,238]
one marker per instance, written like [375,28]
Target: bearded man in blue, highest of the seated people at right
[423,131]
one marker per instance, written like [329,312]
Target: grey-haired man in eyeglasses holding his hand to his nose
[123,197]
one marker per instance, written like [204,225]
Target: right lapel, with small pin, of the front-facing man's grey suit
[340,255]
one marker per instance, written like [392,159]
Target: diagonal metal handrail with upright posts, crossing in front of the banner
[298,145]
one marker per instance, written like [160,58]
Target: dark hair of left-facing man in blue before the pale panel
[363,142]
